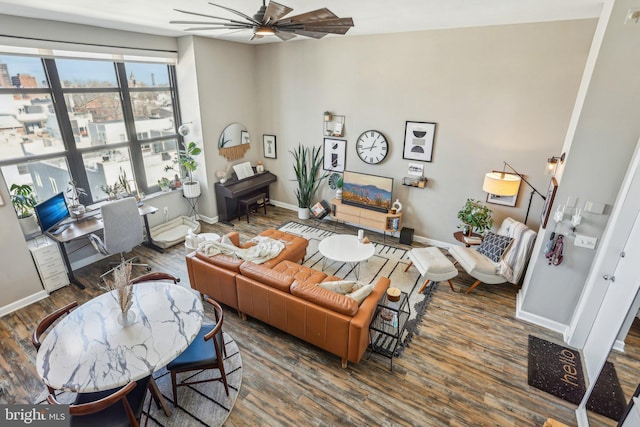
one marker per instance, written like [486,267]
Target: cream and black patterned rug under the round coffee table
[388,261]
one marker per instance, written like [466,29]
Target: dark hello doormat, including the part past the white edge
[558,370]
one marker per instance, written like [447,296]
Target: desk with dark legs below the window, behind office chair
[84,227]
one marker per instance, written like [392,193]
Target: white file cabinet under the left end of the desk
[49,263]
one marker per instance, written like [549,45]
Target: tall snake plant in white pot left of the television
[307,164]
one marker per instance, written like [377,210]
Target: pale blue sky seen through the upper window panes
[83,70]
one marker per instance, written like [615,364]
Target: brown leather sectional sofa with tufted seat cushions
[284,294]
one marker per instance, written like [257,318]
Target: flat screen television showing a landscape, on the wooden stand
[367,191]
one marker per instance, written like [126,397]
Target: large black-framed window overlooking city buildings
[88,120]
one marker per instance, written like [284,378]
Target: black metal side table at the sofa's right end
[388,325]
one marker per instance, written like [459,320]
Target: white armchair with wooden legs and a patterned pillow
[510,265]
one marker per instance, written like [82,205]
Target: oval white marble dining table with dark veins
[89,350]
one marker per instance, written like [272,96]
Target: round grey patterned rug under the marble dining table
[203,404]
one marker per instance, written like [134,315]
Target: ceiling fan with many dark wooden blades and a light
[270,20]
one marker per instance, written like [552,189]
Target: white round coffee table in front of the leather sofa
[345,248]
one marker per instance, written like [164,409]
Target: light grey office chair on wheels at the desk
[122,231]
